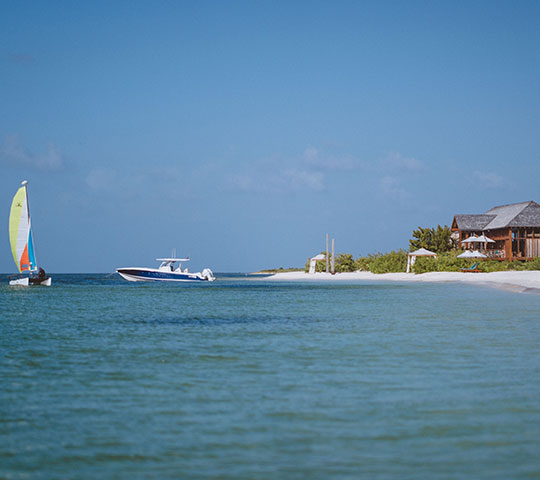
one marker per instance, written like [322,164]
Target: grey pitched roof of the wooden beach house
[525,214]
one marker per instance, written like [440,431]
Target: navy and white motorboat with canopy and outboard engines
[167,272]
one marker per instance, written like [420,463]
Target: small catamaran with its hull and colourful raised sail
[22,243]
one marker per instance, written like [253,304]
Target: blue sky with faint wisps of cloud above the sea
[240,133]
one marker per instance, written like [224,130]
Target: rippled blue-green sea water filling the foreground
[246,378]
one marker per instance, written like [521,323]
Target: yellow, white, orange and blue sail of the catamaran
[20,232]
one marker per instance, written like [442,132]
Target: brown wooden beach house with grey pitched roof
[507,232]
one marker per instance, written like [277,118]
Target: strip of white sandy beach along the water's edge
[524,282]
